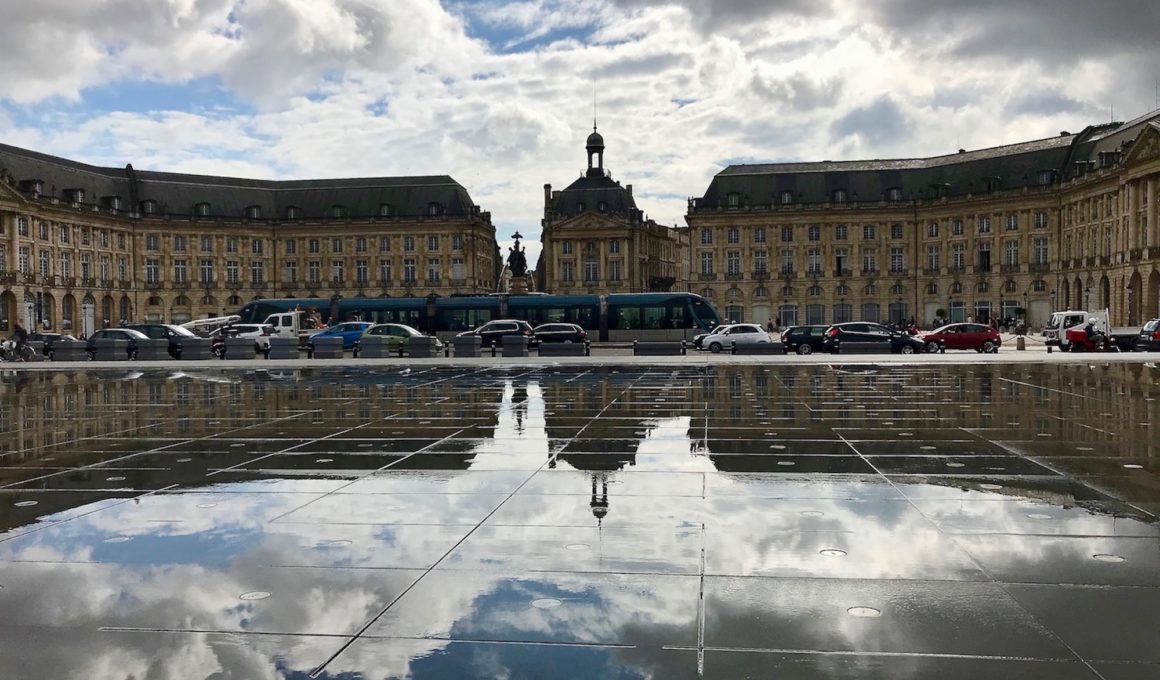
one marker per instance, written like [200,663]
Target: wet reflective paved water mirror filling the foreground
[889,522]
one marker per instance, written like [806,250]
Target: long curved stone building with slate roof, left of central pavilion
[83,248]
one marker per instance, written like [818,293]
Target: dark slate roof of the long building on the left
[178,194]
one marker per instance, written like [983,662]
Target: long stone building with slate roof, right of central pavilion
[1006,233]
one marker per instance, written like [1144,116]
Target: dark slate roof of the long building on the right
[1016,165]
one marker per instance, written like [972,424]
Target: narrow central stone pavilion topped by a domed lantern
[597,241]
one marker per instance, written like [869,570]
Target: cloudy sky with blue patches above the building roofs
[502,95]
